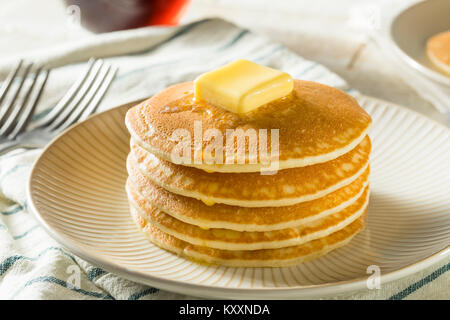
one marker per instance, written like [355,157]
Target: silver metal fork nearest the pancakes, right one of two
[80,101]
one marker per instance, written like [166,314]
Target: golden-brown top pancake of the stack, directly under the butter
[316,124]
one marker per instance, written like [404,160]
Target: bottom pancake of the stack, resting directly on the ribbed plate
[250,258]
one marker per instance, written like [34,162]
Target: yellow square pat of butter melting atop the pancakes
[242,86]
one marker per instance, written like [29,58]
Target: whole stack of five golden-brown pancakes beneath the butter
[231,214]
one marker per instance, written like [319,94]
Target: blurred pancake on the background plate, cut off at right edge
[438,51]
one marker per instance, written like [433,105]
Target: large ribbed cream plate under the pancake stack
[76,190]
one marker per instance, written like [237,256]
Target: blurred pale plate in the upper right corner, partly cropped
[411,29]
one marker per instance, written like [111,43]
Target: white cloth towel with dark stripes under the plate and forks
[32,265]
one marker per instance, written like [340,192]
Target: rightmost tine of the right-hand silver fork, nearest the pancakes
[91,99]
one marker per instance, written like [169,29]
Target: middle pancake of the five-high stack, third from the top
[195,212]
